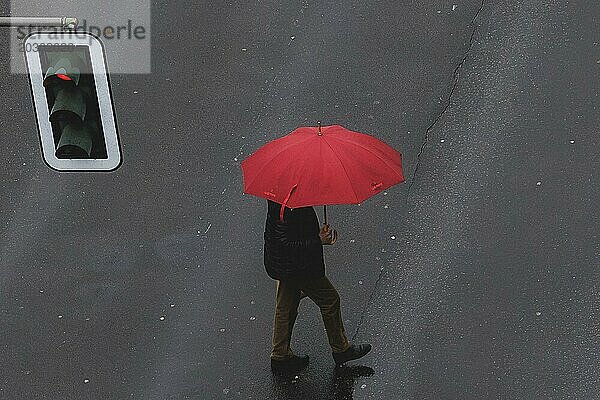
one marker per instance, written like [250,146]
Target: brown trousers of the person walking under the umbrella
[324,295]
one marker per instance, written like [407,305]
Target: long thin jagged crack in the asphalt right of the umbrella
[456,76]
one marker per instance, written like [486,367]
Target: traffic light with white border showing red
[72,98]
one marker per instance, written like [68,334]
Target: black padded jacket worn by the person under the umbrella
[293,249]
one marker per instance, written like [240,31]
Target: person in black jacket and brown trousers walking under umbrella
[293,256]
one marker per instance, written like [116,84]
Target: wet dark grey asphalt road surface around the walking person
[480,282]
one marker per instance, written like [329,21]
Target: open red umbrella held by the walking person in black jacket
[321,166]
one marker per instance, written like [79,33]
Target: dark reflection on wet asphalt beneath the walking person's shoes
[340,387]
